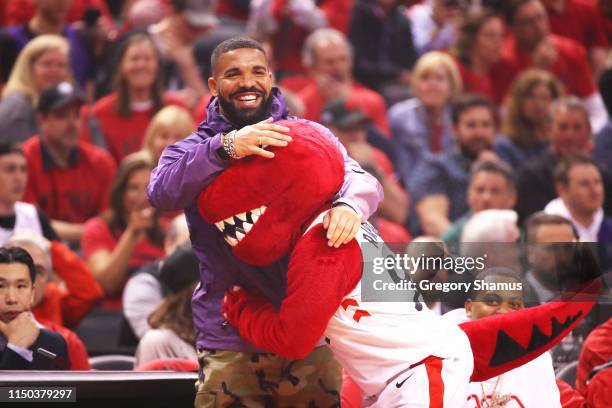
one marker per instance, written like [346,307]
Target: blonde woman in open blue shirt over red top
[423,123]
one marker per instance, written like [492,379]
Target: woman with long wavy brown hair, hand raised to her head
[527,116]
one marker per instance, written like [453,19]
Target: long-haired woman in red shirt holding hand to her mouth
[127,235]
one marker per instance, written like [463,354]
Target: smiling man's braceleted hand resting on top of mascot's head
[253,138]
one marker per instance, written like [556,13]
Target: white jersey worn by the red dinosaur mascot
[377,341]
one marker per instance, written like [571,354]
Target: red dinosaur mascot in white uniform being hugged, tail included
[399,353]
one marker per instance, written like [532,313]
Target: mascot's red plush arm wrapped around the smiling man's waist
[317,280]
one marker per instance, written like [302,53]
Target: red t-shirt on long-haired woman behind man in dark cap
[124,134]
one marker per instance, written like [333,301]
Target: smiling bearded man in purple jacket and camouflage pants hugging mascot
[240,123]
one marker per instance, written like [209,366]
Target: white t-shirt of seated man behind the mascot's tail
[531,385]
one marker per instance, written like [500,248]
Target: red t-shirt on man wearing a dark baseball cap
[72,194]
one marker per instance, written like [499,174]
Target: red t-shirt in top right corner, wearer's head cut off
[580,22]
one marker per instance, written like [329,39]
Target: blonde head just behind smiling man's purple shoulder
[168,126]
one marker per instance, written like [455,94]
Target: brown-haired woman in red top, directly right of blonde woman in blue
[477,49]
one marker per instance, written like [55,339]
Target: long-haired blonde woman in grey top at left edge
[42,62]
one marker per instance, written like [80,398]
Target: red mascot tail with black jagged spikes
[501,343]
